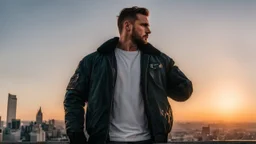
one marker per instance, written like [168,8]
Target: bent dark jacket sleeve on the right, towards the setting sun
[178,86]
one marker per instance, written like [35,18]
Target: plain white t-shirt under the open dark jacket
[128,118]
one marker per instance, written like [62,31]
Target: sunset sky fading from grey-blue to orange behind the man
[213,43]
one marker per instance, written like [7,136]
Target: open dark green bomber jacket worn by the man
[93,83]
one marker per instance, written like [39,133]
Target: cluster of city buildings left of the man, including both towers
[37,131]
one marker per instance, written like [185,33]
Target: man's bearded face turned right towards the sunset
[140,30]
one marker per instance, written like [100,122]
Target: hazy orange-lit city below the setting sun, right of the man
[197,131]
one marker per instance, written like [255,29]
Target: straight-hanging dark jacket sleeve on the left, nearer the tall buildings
[74,102]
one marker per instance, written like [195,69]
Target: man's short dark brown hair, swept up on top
[130,13]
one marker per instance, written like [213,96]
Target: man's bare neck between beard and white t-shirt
[127,45]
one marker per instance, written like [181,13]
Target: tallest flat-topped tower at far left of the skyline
[11,109]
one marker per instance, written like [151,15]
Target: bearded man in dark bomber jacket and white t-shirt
[125,84]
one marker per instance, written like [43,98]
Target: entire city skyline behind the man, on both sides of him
[53,130]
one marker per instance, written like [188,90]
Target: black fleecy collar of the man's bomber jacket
[110,45]
